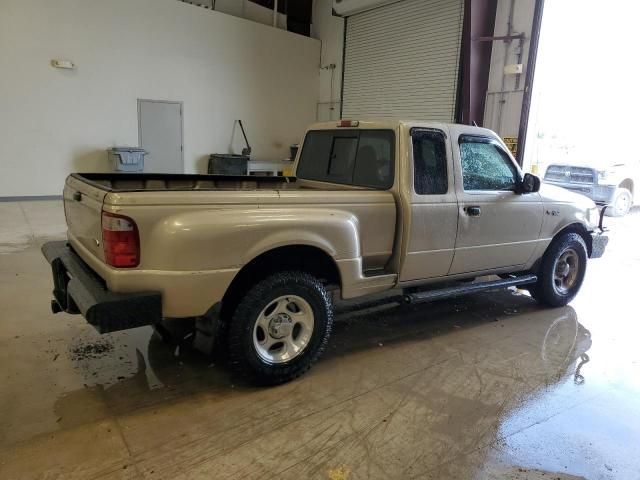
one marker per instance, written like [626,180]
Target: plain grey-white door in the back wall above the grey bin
[160,134]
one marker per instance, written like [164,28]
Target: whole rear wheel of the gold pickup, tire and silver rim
[280,328]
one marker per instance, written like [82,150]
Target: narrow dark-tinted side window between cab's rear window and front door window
[429,162]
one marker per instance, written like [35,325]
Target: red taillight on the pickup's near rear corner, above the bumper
[120,241]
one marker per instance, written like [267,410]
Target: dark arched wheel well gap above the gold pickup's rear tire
[294,257]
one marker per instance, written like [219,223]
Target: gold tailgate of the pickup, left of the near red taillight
[83,210]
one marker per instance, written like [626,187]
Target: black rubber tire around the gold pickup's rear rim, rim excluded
[244,357]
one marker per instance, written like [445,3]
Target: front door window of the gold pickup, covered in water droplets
[485,165]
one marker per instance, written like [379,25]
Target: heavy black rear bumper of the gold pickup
[78,289]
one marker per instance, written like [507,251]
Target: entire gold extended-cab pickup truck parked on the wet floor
[373,206]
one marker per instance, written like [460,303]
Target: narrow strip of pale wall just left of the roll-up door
[329,30]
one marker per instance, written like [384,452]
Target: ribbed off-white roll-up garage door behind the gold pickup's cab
[401,61]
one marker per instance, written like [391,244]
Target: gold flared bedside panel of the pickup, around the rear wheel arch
[191,251]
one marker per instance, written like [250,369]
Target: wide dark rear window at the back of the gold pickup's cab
[363,158]
